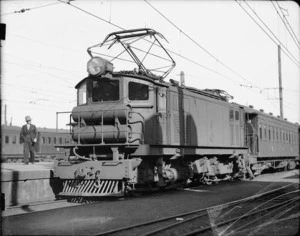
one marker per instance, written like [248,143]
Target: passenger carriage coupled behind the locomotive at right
[273,141]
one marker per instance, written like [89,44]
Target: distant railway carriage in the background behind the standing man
[12,148]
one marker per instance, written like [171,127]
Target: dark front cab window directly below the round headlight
[105,90]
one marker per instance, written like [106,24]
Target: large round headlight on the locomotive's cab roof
[99,66]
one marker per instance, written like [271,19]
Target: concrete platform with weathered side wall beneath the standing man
[23,184]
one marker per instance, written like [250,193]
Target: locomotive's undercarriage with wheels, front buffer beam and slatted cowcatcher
[112,171]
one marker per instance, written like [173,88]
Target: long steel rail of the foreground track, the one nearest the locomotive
[191,212]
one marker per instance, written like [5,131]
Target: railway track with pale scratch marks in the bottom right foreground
[232,218]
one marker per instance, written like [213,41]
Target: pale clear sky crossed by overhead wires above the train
[215,43]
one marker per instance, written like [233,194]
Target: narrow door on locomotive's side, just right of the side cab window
[161,128]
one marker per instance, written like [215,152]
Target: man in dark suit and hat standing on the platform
[29,137]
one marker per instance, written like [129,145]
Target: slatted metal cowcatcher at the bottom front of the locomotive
[92,188]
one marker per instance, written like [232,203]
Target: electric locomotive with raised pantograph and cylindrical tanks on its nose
[133,131]
